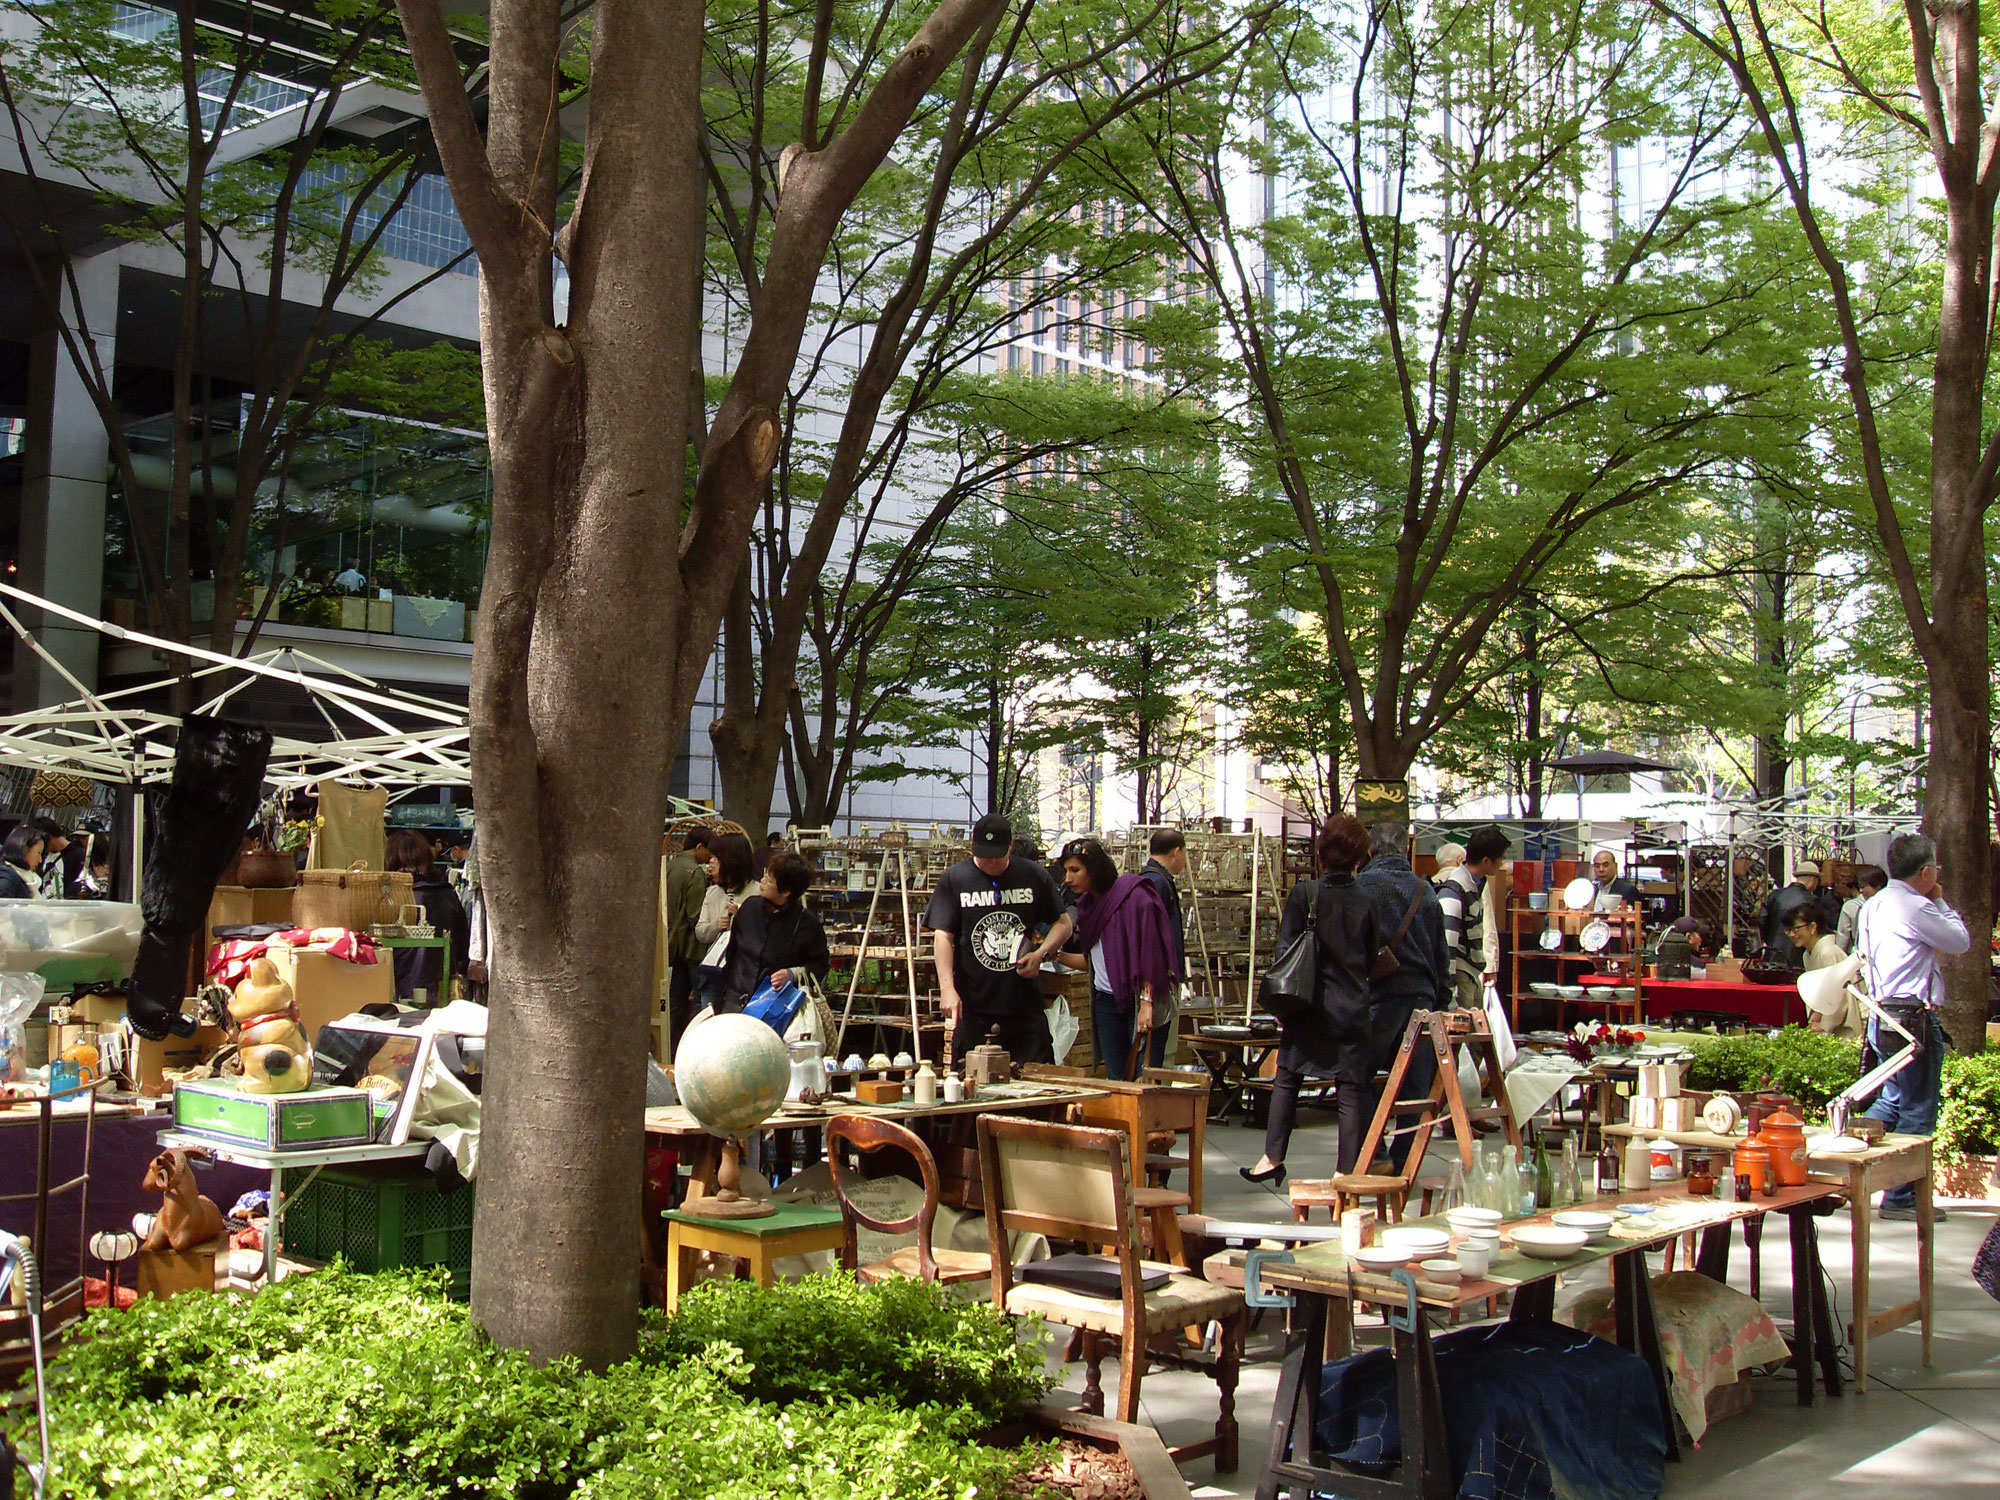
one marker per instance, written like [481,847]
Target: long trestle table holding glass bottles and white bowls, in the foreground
[1327,1281]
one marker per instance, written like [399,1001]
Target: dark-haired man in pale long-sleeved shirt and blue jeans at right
[1903,931]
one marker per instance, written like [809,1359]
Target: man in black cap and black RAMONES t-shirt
[985,921]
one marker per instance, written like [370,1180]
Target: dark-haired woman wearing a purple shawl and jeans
[1129,949]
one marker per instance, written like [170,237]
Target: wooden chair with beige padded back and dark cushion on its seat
[1075,1183]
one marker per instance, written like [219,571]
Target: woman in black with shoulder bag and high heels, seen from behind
[1329,1035]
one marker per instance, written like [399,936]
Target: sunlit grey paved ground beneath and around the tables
[1913,1435]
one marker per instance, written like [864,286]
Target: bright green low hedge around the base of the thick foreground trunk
[347,1387]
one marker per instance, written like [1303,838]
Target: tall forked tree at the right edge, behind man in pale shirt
[1911,73]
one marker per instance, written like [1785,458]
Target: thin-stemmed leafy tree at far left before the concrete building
[237,151]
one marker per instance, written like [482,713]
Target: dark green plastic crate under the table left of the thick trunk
[385,1215]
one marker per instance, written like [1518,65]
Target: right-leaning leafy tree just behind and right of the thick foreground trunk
[989,219]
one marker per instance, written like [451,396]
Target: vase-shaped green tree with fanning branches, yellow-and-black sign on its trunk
[1455,377]
